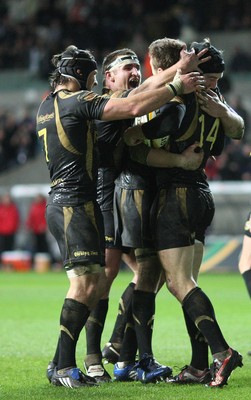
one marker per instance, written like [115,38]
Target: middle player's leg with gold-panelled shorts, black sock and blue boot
[136,207]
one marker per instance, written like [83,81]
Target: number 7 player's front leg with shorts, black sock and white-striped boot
[86,276]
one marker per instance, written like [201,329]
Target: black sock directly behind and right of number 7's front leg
[94,328]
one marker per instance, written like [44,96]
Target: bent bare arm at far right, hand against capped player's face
[233,123]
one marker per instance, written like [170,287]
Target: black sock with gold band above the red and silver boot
[200,310]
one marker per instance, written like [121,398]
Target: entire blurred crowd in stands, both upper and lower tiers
[32,31]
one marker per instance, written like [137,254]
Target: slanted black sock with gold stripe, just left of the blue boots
[120,323]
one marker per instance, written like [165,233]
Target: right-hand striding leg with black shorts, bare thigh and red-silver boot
[178,265]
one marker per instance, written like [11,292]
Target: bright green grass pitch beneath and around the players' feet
[30,304]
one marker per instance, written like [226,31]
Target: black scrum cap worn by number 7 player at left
[78,64]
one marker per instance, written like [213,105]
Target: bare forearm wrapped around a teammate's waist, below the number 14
[160,158]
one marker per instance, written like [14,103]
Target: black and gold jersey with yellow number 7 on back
[66,130]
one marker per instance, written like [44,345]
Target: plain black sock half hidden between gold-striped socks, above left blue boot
[128,350]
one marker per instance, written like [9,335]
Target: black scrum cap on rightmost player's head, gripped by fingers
[216,64]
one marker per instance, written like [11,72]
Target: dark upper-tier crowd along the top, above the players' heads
[32,30]
